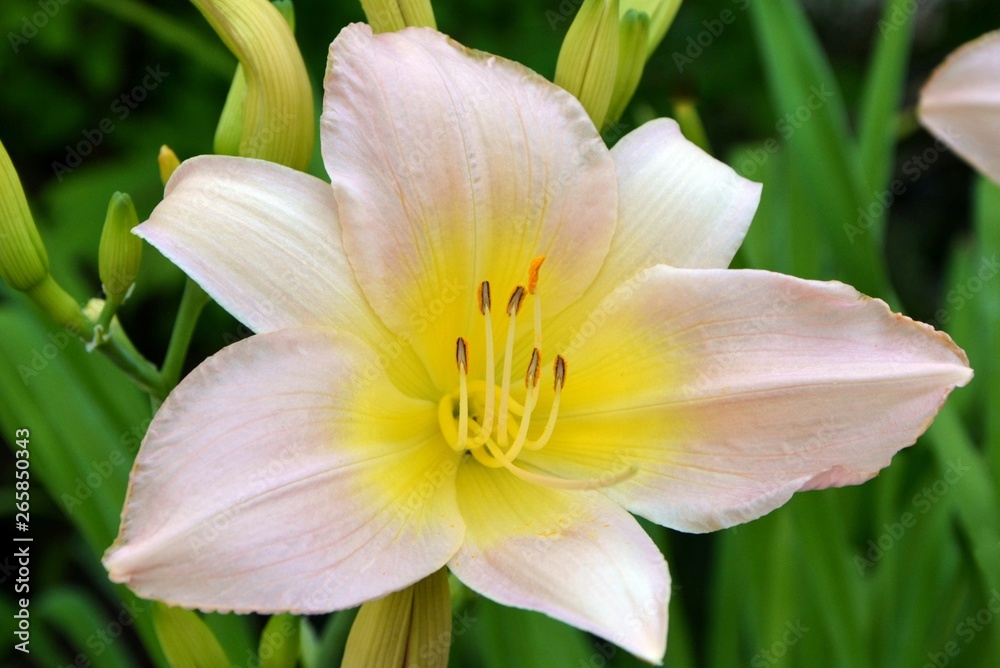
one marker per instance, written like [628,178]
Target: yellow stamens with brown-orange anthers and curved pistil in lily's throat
[483,419]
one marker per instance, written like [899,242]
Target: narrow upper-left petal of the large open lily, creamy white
[264,241]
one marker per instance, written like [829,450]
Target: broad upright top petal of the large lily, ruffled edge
[451,167]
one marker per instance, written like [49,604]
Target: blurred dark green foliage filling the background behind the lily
[834,578]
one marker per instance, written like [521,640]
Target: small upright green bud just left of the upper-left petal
[120,251]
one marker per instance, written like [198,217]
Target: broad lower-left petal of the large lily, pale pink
[277,462]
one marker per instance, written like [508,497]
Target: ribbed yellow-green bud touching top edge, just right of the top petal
[588,59]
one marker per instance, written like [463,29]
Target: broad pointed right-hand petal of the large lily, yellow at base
[731,390]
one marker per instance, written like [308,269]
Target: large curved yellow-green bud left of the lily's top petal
[270,101]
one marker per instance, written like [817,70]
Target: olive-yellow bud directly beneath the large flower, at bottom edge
[415,622]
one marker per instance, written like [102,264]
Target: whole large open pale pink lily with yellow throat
[348,449]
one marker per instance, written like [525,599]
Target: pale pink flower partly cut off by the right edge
[960,103]
